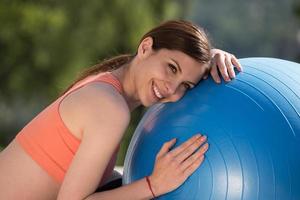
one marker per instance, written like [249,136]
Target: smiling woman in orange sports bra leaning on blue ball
[69,149]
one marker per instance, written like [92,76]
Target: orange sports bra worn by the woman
[50,143]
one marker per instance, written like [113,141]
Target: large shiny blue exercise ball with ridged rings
[253,128]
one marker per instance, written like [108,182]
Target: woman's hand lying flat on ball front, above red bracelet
[173,167]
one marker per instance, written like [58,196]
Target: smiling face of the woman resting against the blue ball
[165,75]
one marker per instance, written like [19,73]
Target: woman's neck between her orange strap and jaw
[126,78]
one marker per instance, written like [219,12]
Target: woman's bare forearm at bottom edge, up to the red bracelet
[137,190]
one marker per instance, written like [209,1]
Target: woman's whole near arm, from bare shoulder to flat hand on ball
[103,130]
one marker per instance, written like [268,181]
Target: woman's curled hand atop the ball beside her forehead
[223,62]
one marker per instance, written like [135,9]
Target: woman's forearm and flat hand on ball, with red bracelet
[171,169]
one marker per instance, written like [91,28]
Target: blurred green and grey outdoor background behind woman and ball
[45,44]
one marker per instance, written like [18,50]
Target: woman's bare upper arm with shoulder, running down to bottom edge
[103,115]
